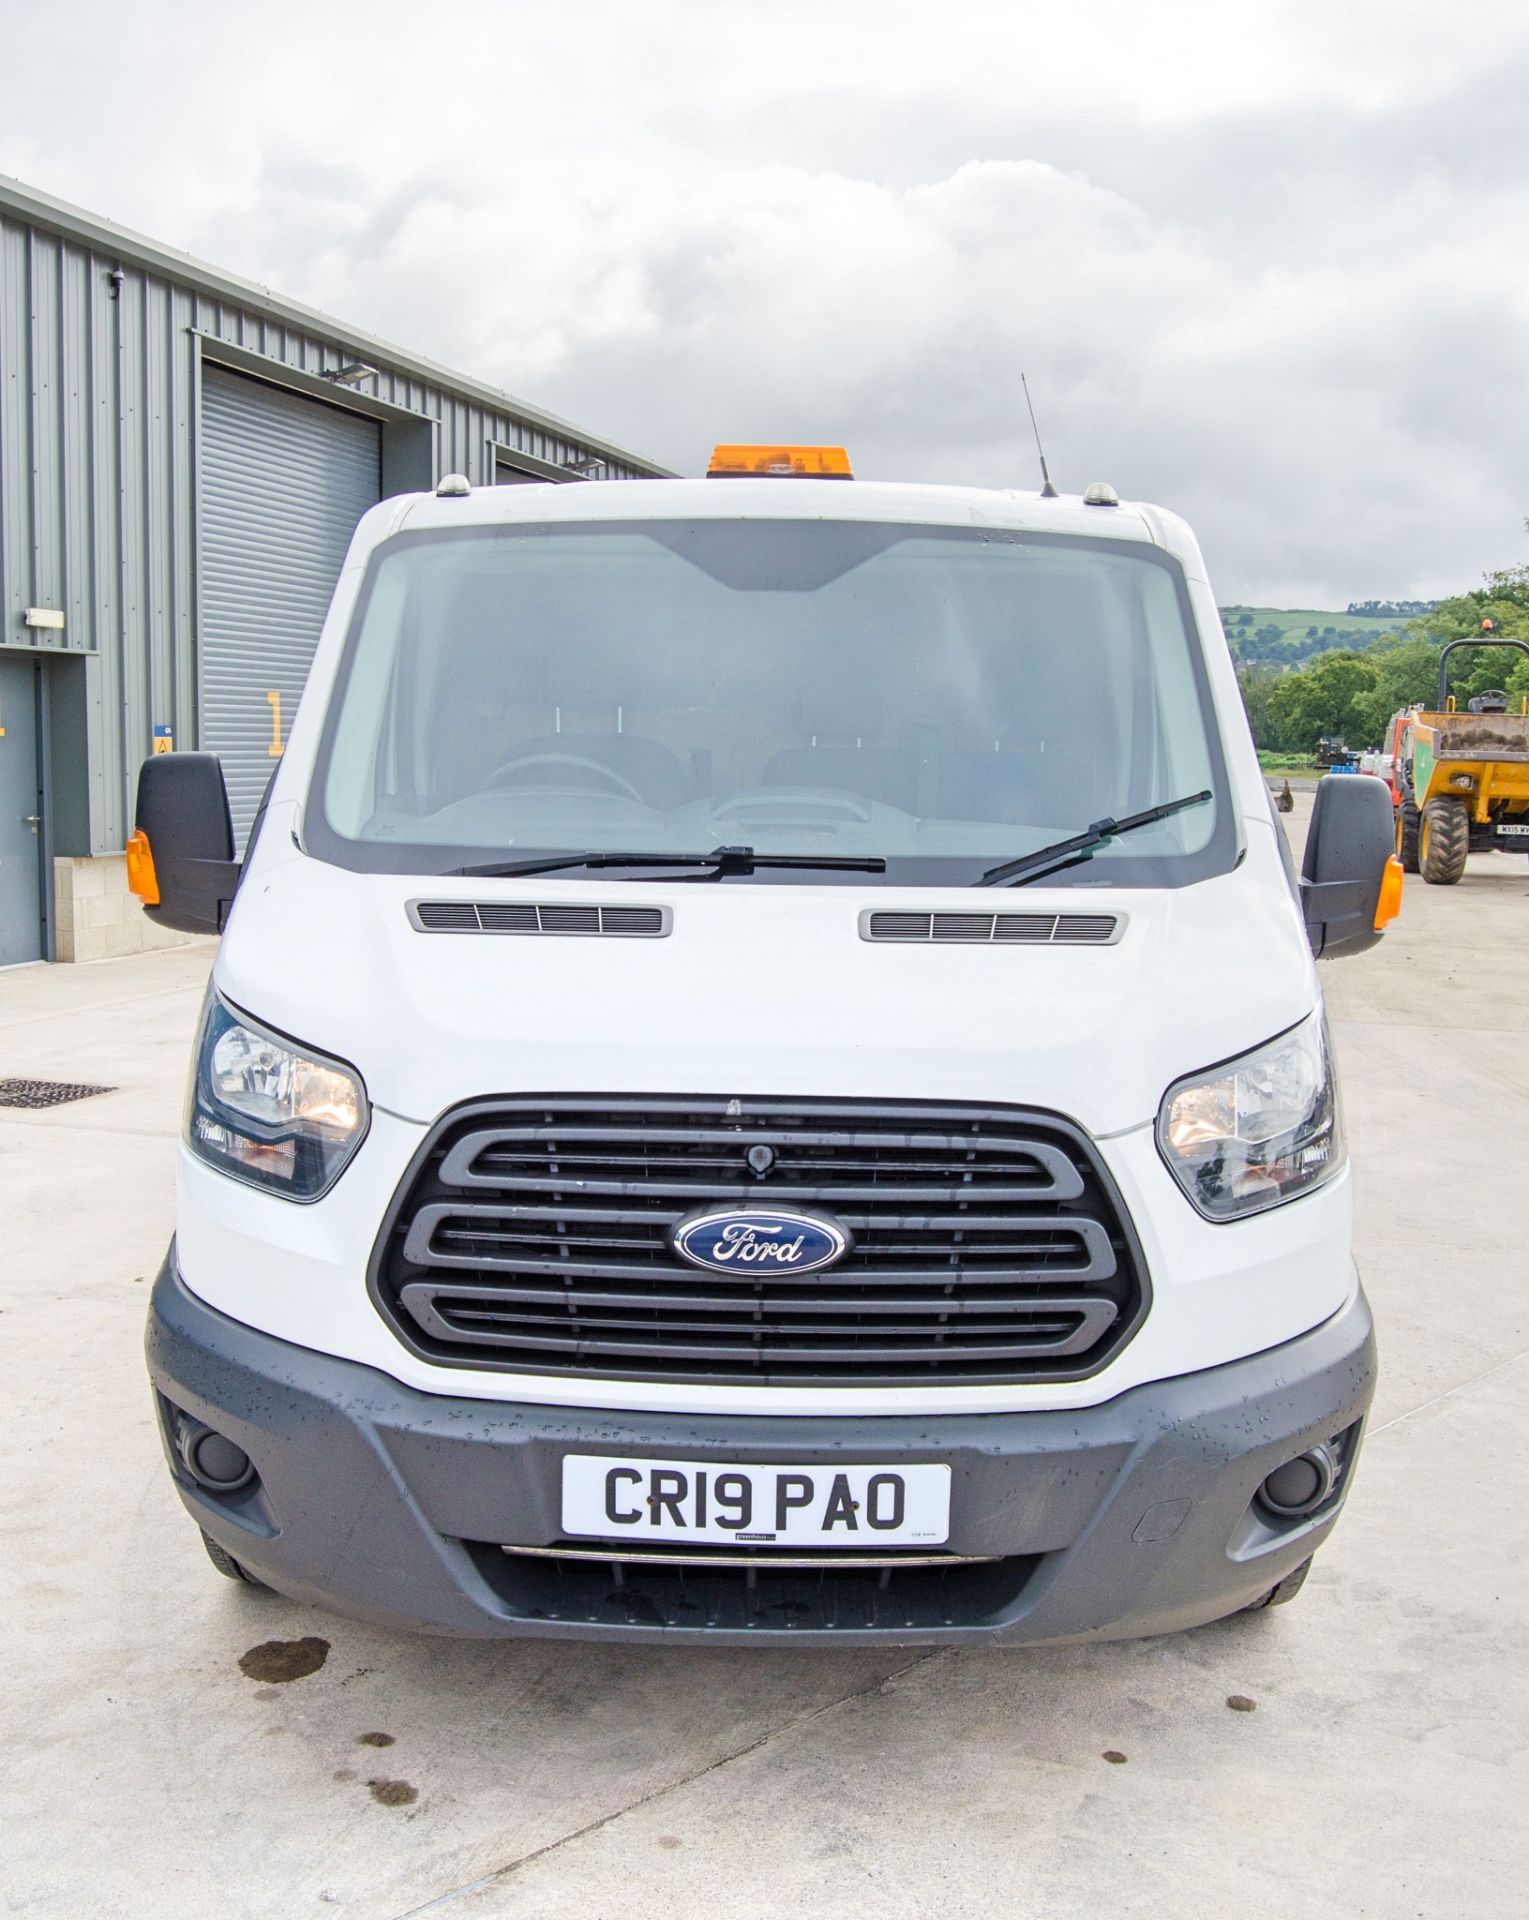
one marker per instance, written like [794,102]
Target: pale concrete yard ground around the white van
[1382,1769]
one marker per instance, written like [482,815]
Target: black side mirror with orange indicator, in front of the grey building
[182,857]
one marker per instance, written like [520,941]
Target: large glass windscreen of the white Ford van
[938,698]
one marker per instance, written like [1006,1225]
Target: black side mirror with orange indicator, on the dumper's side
[1351,882]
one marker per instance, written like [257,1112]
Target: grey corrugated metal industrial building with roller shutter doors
[183,458]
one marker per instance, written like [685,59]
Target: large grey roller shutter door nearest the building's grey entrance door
[283,485]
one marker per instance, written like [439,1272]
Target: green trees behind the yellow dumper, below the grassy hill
[1353,694]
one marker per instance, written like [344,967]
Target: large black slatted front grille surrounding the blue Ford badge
[986,1245]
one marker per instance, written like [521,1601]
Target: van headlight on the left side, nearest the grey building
[268,1111]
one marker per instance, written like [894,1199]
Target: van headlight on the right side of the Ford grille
[1255,1132]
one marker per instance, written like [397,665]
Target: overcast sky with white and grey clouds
[1263,262]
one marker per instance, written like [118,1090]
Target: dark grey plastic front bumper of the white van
[393,1506]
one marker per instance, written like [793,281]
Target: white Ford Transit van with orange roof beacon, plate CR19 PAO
[765,1076]
